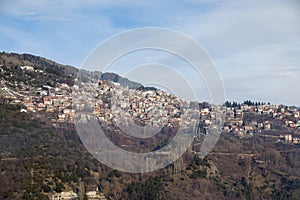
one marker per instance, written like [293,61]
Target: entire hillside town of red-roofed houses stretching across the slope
[113,103]
